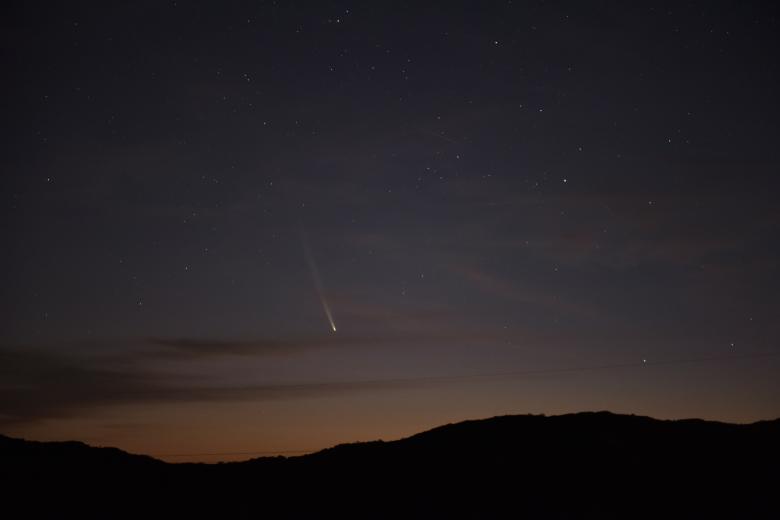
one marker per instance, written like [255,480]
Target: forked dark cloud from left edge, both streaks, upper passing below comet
[50,382]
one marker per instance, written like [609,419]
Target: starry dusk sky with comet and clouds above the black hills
[237,228]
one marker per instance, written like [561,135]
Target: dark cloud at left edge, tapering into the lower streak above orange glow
[37,384]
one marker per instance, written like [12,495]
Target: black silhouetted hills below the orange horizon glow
[587,465]
